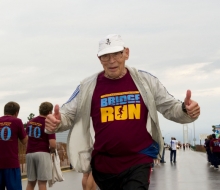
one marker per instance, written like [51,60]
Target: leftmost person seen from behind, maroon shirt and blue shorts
[11,130]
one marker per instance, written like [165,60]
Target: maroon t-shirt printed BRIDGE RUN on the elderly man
[119,118]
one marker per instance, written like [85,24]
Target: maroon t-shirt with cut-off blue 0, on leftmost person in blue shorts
[11,129]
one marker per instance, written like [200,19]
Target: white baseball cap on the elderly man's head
[110,44]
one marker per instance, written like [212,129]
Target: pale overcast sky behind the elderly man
[48,47]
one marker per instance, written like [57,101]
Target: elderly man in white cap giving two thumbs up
[122,103]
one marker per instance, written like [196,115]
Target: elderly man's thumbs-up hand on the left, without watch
[53,120]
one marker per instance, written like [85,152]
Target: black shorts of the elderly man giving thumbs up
[134,178]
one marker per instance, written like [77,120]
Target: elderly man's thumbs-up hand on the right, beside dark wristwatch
[192,107]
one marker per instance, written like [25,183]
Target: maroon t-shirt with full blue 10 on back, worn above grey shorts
[38,140]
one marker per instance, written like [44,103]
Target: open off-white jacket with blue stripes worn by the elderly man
[75,115]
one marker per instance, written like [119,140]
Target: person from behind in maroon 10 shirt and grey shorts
[40,144]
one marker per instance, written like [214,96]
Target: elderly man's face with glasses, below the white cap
[114,65]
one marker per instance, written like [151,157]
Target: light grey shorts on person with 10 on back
[39,166]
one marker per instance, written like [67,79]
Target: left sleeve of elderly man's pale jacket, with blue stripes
[68,112]
